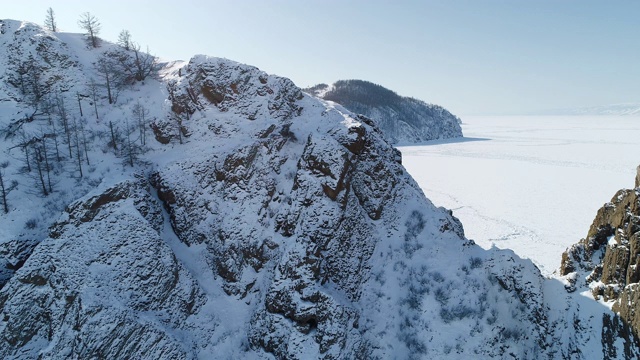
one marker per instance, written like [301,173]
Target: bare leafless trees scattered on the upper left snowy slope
[62,142]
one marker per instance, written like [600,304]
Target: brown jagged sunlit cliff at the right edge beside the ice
[606,262]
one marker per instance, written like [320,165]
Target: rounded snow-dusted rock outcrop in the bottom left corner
[104,285]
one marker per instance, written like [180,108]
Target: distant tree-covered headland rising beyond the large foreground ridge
[403,120]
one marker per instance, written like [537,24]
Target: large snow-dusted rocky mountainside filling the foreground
[253,221]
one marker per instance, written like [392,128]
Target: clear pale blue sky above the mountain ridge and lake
[471,56]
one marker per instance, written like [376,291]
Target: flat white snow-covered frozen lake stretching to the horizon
[531,184]
